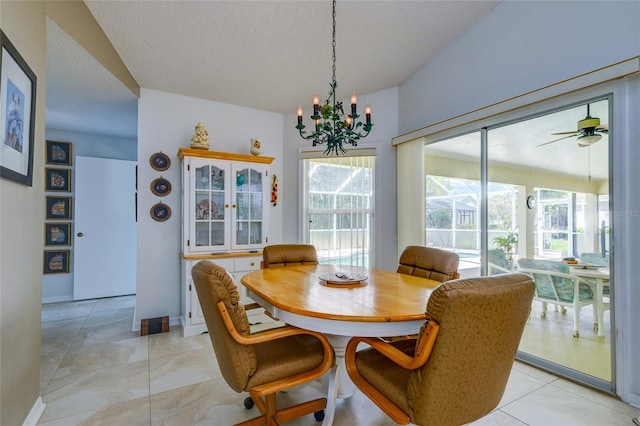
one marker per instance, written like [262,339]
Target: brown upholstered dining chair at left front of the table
[264,363]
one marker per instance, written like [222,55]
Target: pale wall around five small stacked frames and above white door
[59,287]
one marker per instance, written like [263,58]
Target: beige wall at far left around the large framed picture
[21,215]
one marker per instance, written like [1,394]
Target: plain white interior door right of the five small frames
[105,228]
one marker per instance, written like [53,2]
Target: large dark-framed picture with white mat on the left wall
[17,121]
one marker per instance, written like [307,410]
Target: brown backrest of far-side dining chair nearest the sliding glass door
[428,262]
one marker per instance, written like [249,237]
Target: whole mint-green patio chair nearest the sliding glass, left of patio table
[555,284]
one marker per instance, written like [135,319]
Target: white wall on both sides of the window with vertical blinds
[384,106]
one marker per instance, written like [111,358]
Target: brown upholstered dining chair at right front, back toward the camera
[457,369]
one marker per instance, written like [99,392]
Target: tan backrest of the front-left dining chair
[213,284]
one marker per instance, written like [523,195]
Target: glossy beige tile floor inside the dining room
[96,371]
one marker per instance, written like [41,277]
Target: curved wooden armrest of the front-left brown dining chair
[274,334]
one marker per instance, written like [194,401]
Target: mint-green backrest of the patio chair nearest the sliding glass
[558,277]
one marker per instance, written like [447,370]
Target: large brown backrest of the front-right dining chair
[481,322]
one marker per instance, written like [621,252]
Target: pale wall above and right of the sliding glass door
[524,46]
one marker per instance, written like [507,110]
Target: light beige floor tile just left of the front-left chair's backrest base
[183,369]
